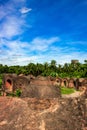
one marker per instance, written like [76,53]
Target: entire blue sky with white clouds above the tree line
[42,30]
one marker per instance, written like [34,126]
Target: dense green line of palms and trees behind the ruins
[75,70]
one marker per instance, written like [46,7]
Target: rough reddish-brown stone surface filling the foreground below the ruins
[43,114]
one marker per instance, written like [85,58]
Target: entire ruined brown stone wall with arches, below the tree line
[40,86]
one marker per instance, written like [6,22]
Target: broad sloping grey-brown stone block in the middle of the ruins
[41,88]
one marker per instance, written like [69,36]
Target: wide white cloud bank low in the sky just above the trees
[22,53]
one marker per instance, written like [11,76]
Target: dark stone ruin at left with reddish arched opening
[13,82]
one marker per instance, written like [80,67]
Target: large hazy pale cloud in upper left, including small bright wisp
[12,23]
